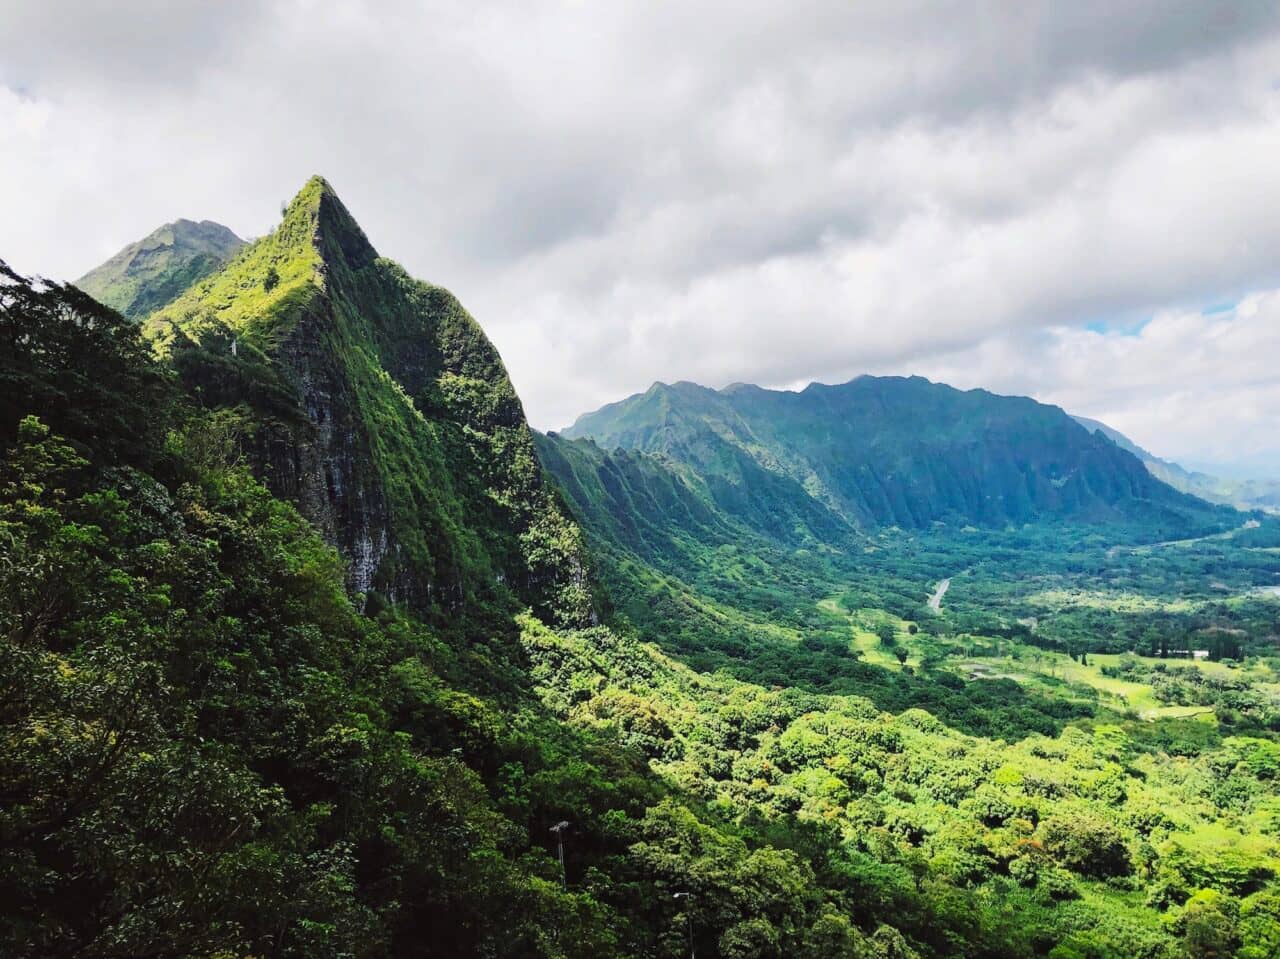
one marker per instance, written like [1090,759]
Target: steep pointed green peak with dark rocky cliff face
[378,405]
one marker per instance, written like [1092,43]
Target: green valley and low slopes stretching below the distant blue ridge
[1092,779]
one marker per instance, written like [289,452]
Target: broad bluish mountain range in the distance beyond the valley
[888,453]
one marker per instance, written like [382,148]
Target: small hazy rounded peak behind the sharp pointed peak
[154,271]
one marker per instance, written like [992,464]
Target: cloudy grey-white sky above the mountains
[1073,202]
